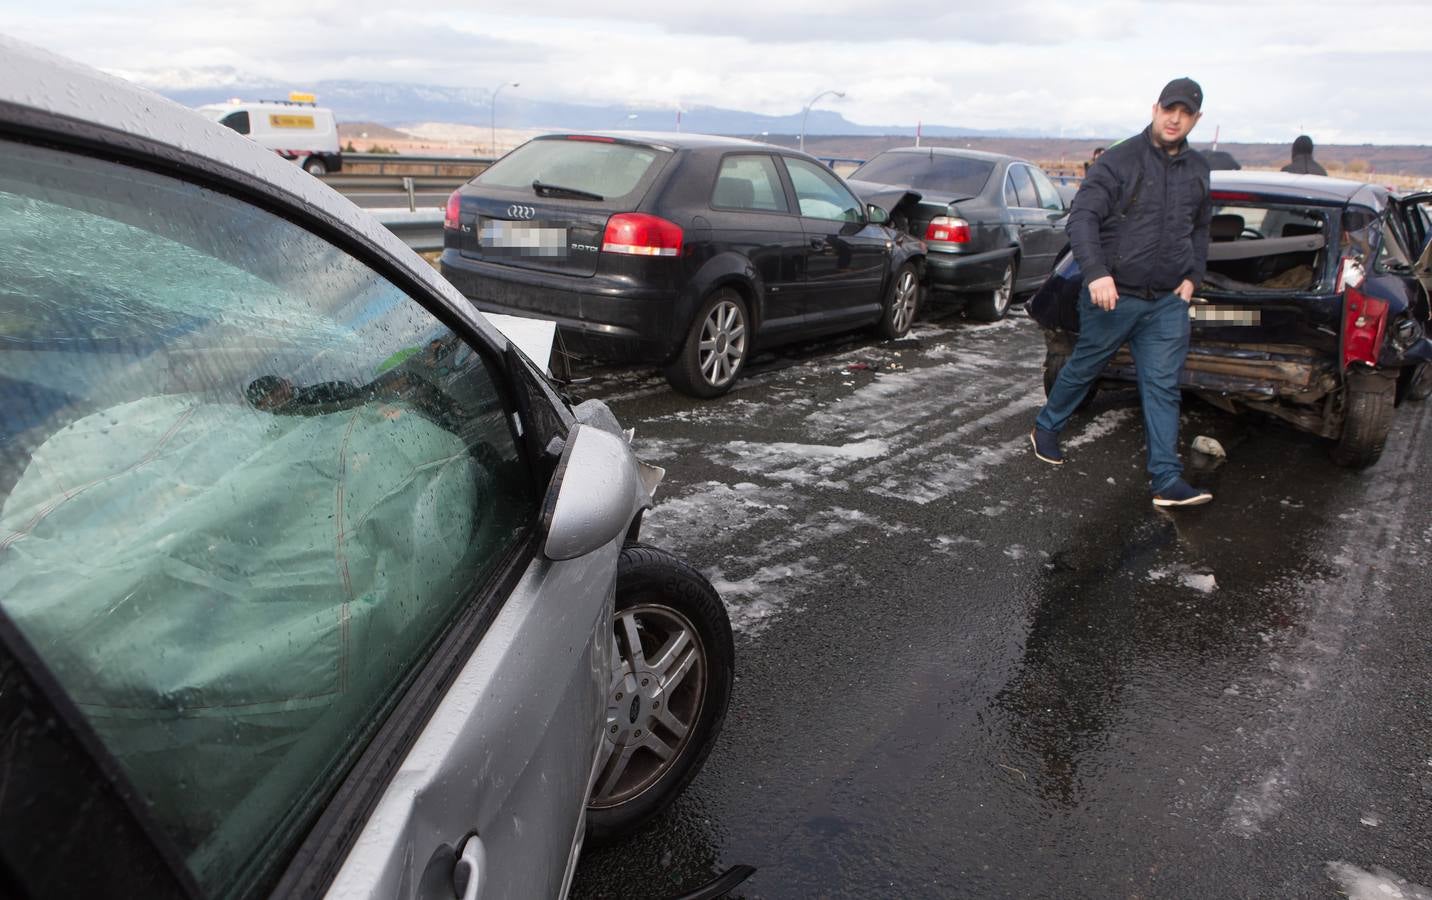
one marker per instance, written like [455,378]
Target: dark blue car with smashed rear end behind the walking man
[1314,307]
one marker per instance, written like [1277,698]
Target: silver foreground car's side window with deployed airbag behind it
[246,484]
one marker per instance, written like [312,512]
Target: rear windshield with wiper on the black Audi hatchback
[606,170]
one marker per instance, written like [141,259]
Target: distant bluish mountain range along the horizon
[399,104]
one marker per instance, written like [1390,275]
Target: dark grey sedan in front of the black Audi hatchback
[995,224]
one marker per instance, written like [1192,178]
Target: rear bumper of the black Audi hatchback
[604,319]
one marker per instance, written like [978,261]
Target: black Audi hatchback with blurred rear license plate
[685,252]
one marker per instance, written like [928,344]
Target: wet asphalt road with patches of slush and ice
[963,673]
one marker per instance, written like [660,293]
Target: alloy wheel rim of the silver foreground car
[654,702]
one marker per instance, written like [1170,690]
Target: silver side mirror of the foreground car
[594,495]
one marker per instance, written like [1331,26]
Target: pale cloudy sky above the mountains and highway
[1342,72]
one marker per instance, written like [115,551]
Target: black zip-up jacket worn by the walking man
[1143,217]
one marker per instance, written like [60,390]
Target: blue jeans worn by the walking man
[1158,336]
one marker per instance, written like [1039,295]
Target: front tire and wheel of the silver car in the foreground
[668,610]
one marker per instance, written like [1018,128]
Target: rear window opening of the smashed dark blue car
[1268,249]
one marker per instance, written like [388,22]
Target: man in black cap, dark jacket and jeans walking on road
[1141,234]
